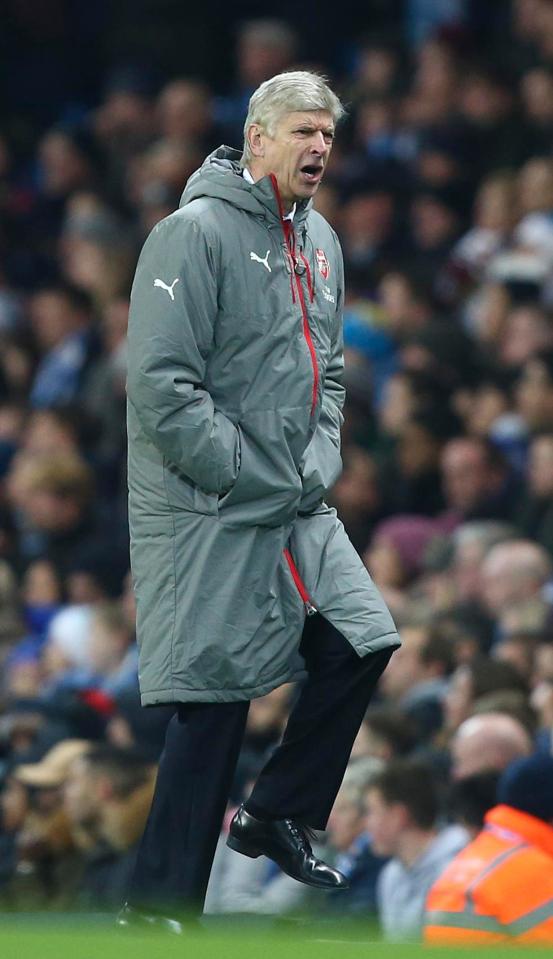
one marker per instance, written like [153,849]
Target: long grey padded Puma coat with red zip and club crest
[234,413]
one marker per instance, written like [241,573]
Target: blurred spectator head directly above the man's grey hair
[265,47]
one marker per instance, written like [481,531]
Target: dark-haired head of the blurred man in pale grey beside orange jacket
[400,801]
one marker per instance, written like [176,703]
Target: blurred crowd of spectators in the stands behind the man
[440,187]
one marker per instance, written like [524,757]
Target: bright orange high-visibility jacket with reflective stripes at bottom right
[498,888]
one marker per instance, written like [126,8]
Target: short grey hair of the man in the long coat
[290,92]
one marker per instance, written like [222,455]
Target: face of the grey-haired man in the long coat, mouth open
[297,153]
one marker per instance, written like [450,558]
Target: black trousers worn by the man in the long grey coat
[300,780]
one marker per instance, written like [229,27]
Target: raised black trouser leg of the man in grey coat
[301,779]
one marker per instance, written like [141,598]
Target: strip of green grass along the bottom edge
[70,938]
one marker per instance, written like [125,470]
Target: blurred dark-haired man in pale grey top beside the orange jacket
[402,813]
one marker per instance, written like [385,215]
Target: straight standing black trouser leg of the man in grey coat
[194,779]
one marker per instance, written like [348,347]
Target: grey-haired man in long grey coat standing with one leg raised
[235,364]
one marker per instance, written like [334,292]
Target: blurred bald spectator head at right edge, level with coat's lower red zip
[513,572]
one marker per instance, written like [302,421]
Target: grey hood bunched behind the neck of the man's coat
[220,175]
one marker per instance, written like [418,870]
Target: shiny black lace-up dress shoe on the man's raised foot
[287,844]
